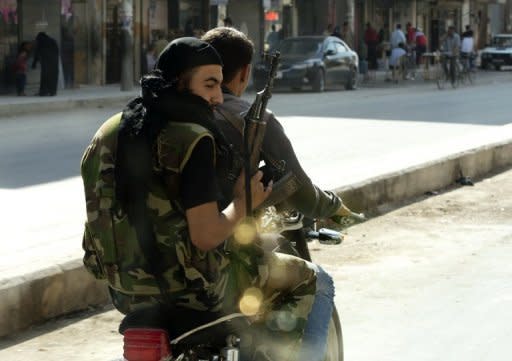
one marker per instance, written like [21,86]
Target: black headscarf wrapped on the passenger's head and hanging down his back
[144,117]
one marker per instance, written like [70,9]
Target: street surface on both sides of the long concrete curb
[408,283]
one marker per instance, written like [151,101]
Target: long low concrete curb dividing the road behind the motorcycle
[68,287]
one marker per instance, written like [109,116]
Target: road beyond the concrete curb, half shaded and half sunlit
[42,196]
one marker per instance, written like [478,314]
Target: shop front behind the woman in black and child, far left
[63,20]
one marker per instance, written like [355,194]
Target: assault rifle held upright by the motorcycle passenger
[254,130]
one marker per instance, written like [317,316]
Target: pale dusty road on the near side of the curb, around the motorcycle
[427,281]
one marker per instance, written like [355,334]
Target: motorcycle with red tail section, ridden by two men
[201,336]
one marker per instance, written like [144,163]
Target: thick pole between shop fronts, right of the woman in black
[126,17]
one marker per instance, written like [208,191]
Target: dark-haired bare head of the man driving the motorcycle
[236,51]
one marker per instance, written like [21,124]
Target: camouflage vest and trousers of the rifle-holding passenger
[215,280]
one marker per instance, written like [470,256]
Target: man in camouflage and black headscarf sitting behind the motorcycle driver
[140,176]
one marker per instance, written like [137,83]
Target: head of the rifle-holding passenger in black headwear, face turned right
[193,65]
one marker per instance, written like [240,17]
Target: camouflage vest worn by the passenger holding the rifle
[112,251]
